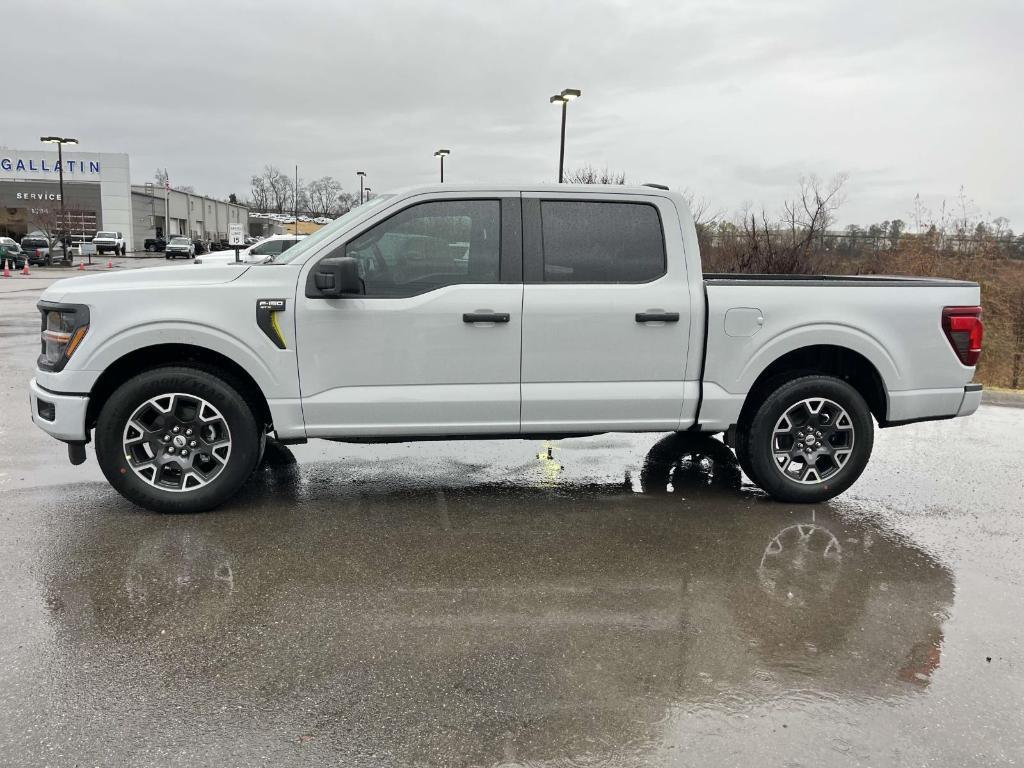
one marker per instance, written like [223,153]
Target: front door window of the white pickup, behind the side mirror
[429,246]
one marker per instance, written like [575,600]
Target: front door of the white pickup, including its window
[433,347]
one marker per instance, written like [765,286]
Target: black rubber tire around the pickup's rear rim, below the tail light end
[758,442]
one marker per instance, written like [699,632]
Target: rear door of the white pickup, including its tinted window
[606,314]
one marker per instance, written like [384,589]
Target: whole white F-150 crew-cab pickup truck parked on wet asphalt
[483,313]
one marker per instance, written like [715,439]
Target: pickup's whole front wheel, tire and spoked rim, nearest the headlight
[178,440]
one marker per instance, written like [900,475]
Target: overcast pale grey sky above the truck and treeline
[734,101]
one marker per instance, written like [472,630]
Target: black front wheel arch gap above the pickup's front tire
[163,356]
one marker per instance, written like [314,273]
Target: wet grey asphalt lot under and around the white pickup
[623,601]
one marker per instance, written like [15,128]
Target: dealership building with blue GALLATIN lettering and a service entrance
[99,195]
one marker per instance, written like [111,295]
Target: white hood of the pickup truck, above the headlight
[142,280]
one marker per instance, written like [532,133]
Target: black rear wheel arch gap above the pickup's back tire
[826,360]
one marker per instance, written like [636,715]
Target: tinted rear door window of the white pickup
[599,242]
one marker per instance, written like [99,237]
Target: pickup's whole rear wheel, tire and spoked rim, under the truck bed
[809,441]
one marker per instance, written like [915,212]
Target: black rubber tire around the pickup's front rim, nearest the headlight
[244,433]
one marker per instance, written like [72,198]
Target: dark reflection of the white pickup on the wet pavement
[414,618]
